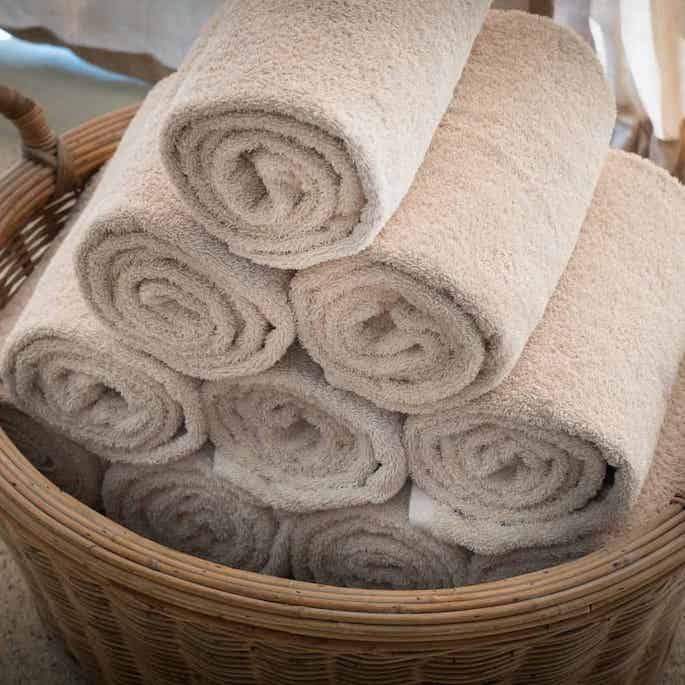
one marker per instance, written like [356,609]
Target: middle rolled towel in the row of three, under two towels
[300,445]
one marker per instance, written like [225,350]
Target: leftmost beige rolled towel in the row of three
[60,366]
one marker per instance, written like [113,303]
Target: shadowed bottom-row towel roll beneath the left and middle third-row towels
[186,507]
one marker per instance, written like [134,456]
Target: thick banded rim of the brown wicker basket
[555,596]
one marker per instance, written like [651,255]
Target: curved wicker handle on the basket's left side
[39,143]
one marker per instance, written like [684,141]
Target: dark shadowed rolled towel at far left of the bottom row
[70,467]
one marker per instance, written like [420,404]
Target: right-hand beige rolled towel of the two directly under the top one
[438,309]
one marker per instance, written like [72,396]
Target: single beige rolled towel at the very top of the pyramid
[297,127]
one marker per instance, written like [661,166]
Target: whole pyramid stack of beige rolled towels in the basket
[363,298]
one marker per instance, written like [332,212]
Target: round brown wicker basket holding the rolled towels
[132,611]
